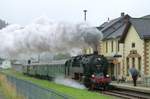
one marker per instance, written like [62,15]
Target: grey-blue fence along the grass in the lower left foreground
[32,91]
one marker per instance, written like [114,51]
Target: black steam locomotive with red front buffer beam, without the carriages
[91,69]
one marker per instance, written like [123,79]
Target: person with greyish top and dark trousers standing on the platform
[134,74]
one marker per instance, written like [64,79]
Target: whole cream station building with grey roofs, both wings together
[126,42]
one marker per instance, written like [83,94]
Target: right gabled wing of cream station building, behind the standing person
[136,41]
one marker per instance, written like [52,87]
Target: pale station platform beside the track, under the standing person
[129,86]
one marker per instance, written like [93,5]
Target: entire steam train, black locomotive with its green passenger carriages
[88,69]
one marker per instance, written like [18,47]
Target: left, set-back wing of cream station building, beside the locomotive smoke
[111,47]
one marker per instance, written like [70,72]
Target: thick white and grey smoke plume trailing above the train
[43,35]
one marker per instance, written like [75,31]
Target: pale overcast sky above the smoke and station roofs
[24,11]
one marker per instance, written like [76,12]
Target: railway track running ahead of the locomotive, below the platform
[127,94]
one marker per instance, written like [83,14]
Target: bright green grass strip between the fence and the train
[74,92]
